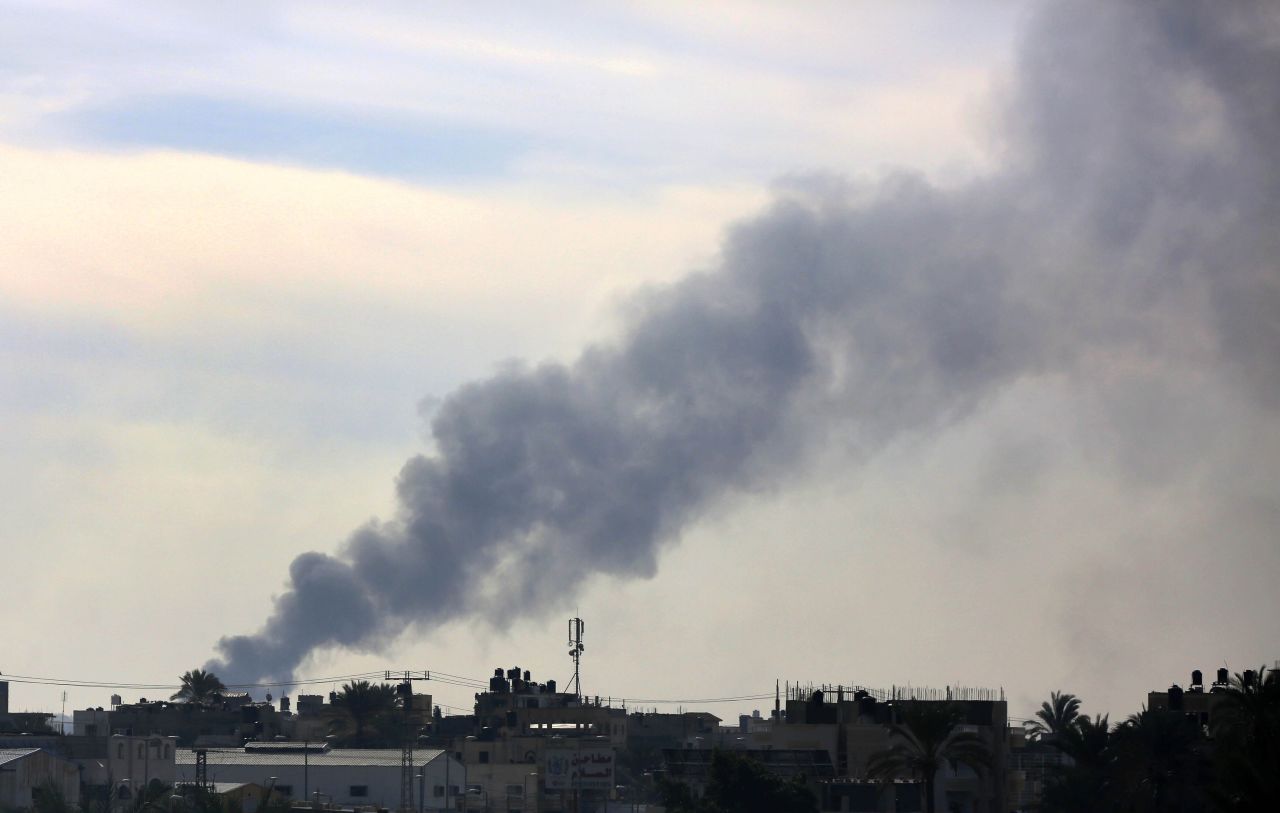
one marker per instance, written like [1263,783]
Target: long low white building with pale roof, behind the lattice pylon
[345,777]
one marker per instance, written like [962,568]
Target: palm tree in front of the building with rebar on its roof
[925,739]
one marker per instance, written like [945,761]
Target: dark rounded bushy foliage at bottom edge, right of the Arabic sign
[738,784]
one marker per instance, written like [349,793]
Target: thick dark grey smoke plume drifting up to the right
[1135,223]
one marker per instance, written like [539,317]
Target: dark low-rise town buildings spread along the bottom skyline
[527,748]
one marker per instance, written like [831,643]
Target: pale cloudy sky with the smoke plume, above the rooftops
[851,342]
